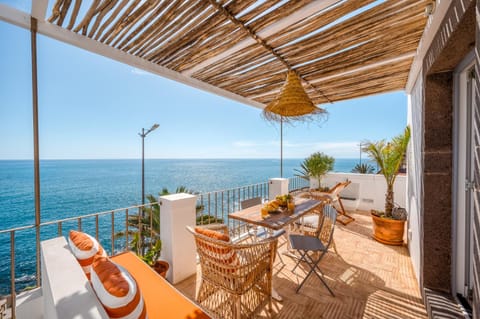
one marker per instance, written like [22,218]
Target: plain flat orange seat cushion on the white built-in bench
[161,298]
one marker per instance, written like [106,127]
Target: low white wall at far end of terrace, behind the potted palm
[367,191]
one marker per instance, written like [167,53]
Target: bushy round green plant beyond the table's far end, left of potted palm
[314,167]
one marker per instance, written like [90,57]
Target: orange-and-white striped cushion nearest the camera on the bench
[117,290]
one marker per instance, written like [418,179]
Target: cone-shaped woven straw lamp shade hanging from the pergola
[292,103]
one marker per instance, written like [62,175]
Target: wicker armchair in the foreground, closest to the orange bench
[236,279]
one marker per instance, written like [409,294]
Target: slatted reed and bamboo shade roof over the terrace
[340,49]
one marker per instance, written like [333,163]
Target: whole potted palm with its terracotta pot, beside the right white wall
[388,226]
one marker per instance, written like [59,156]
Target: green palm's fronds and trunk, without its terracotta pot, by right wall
[389,157]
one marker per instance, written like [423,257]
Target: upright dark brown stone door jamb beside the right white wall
[437,180]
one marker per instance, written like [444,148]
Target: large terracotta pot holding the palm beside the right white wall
[388,231]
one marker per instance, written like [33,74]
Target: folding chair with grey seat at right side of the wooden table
[319,244]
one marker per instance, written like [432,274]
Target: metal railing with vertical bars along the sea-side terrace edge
[112,228]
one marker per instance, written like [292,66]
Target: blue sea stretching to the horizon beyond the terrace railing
[77,187]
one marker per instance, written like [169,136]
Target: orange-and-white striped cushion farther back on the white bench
[84,247]
